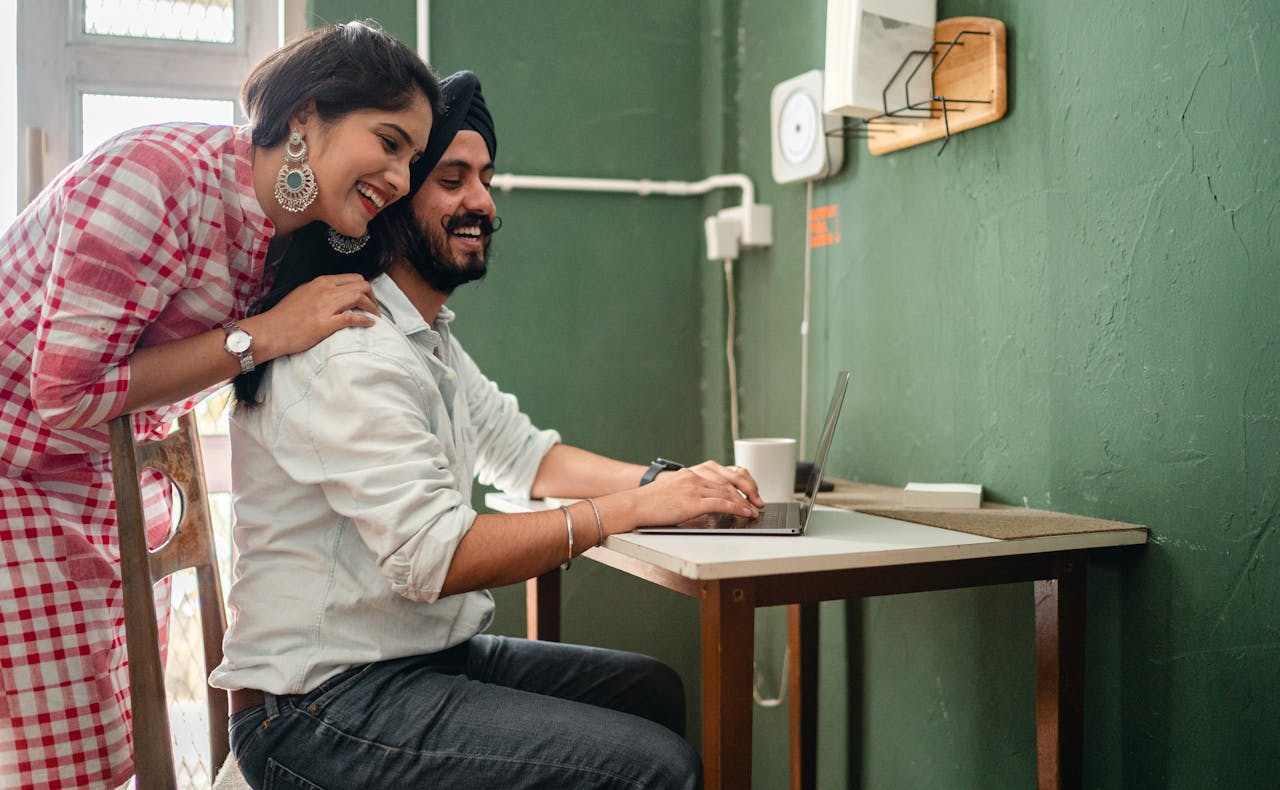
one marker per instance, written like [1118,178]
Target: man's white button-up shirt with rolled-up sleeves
[353,490]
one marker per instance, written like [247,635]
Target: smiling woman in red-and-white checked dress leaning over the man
[126,286]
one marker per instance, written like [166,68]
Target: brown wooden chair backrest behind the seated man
[193,546]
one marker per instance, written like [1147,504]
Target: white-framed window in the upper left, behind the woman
[90,69]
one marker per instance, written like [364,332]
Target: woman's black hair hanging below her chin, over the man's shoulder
[308,258]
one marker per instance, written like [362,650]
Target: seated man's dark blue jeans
[492,714]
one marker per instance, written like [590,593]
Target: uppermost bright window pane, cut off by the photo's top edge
[213,21]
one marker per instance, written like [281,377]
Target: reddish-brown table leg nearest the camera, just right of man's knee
[729,646]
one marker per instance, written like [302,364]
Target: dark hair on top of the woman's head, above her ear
[344,69]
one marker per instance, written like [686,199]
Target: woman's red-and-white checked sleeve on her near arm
[118,258]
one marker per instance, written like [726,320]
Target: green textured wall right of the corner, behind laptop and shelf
[1076,307]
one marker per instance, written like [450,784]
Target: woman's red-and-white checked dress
[153,238]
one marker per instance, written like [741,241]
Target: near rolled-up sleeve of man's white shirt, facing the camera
[356,426]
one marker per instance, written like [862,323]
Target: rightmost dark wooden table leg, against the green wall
[1060,675]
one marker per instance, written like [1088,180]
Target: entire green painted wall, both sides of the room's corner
[1075,307]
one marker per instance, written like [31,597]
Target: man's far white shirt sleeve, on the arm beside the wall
[509,447]
